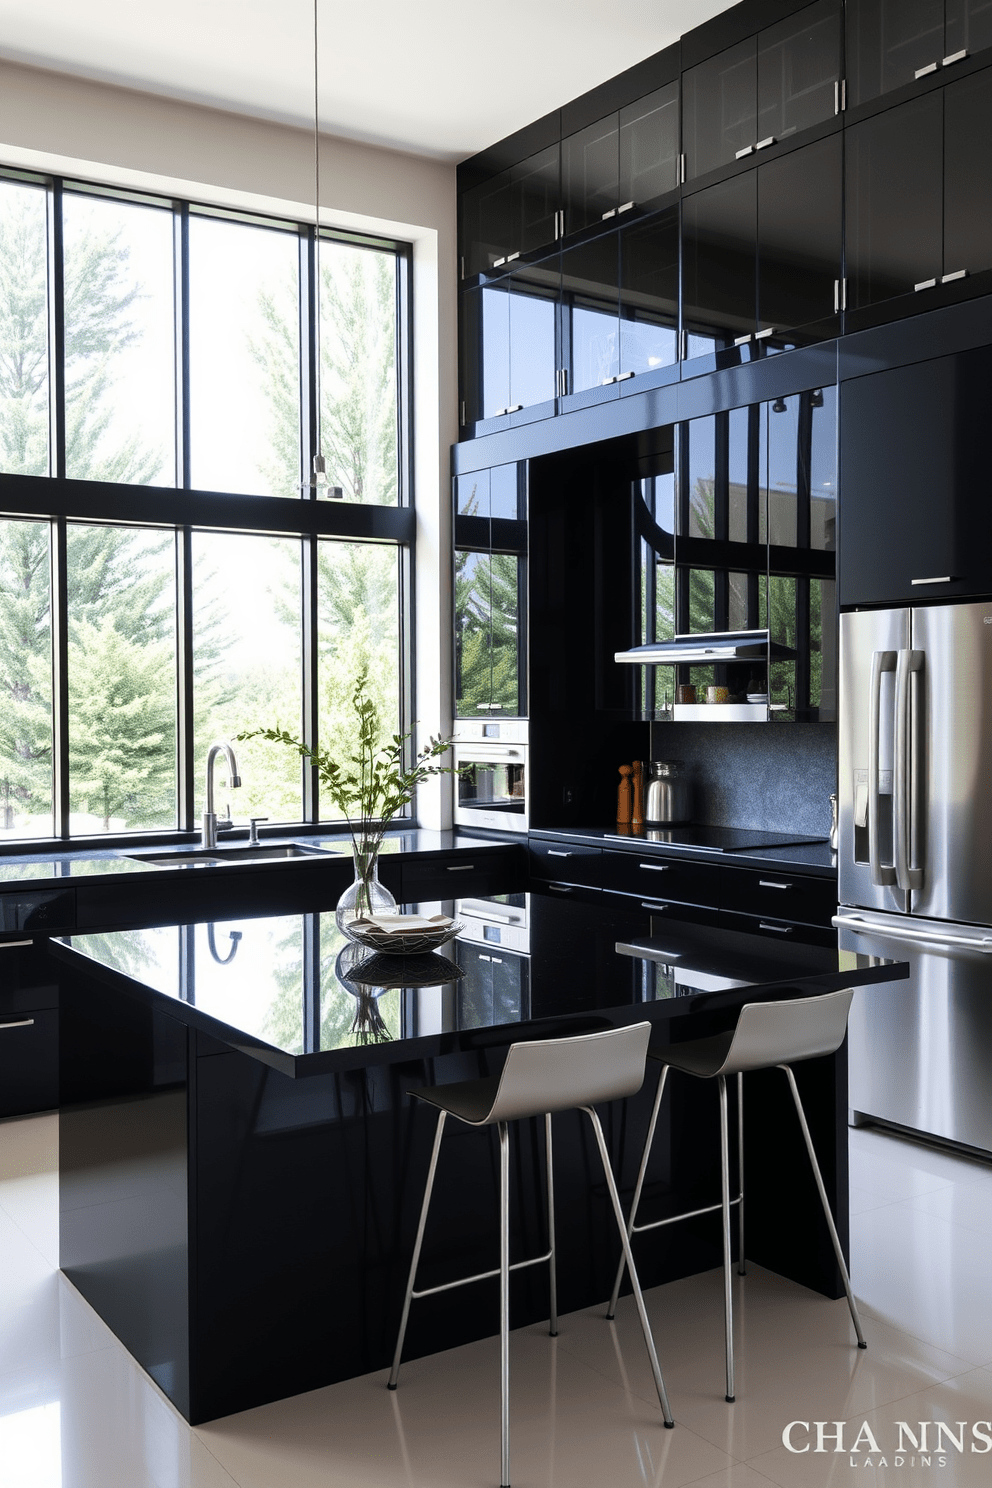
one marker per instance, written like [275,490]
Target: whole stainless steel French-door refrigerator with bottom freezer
[915,862]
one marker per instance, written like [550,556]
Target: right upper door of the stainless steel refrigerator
[951,821]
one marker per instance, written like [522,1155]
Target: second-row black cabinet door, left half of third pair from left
[719,266]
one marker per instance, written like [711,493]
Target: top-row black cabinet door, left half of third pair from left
[721,109]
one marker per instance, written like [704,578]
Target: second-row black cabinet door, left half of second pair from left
[591,313]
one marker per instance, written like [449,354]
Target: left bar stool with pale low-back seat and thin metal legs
[539,1078]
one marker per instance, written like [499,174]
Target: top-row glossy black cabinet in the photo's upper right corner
[893,42]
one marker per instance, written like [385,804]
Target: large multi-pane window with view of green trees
[172,572]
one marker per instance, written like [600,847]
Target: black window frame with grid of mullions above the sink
[184,510]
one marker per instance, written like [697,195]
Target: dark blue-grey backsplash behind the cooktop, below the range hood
[753,776]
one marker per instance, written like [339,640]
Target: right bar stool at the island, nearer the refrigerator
[767,1035]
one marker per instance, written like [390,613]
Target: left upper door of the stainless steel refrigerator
[871,644]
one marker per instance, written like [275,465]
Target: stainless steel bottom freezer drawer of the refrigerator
[921,1048]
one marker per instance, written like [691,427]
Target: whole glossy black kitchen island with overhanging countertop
[242,1163]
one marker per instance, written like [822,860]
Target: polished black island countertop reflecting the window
[291,992]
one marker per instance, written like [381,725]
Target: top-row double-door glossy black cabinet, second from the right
[762,90]
